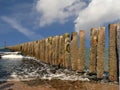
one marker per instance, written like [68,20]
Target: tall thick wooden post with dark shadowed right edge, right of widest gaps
[113,69]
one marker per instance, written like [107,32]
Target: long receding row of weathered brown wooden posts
[64,50]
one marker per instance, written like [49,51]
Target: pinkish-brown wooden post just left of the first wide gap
[82,51]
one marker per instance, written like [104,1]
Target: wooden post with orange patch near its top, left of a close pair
[93,51]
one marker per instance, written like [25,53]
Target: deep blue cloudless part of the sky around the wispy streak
[22,12]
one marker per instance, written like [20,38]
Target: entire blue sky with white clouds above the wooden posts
[28,20]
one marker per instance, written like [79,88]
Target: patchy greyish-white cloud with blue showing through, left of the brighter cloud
[58,10]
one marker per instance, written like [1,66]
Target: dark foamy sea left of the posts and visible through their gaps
[28,68]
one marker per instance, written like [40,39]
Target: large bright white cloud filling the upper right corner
[97,13]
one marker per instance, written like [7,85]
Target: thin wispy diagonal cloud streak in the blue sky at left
[20,28]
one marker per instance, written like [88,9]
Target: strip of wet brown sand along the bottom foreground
[57,85]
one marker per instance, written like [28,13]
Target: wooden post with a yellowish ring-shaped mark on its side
[67,50]
